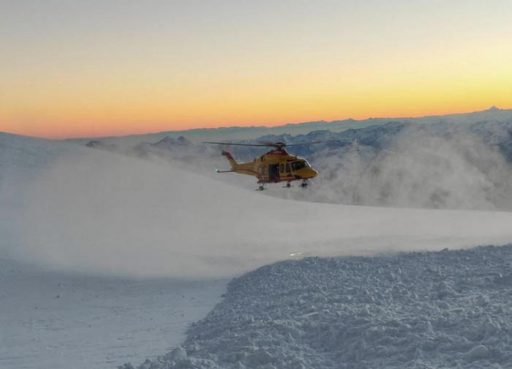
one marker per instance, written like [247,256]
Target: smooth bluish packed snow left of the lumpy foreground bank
[67,321]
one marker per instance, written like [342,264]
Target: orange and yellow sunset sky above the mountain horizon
[104,67]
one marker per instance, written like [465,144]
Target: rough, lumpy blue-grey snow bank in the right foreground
[411,310]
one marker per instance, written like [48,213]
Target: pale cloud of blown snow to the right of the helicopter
[434,166]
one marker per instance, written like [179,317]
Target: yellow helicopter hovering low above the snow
[277,165]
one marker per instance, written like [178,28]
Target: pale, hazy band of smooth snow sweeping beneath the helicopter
[106,213]
